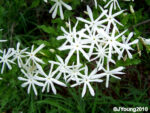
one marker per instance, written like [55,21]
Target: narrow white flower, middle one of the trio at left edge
[19,54]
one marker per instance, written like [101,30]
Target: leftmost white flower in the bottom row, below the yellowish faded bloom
[30,80]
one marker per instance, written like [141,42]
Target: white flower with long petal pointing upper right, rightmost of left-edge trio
[32,54]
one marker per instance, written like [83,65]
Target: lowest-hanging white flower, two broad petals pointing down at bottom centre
[86,80]
